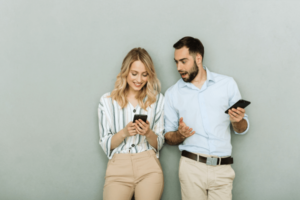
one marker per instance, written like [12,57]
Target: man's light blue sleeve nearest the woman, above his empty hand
[170,114]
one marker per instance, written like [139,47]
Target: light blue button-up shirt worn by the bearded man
[204,111]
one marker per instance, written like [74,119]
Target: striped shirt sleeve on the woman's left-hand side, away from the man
[104,129]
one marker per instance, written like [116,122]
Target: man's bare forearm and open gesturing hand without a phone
[177,137]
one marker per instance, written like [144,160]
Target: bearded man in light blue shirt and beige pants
[195,118]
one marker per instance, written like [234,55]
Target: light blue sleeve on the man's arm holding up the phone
[234,96]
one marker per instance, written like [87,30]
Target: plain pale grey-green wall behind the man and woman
[57,57]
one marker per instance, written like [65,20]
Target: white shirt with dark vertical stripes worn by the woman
[112,119]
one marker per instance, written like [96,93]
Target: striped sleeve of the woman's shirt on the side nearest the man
[158,123]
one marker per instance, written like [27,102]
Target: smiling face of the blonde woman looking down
[138,76]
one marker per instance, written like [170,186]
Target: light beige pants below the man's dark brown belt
[204,182]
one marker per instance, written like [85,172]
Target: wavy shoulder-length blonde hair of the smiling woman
[150,89]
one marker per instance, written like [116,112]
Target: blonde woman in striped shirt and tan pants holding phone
[133,147]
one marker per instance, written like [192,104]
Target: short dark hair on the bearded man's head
[193,44]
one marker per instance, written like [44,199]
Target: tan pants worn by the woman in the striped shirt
[139,173]
